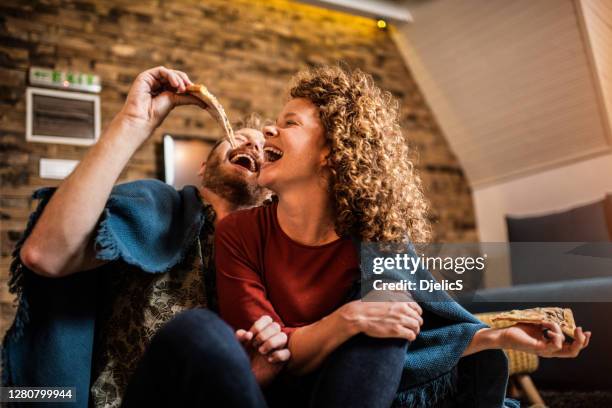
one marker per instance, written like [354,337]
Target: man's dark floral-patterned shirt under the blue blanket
[139,303]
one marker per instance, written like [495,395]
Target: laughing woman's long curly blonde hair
[375,188]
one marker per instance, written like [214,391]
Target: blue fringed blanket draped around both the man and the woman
[150,225]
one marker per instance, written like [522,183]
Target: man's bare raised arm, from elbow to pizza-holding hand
[61,242]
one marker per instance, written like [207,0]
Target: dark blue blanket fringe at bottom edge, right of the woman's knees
[428,394]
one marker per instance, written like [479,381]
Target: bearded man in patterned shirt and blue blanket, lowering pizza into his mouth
[101,268]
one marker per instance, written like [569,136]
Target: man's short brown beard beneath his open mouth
[233,188]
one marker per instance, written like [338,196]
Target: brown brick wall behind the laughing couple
[244,50]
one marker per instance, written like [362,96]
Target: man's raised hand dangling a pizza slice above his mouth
[154,94]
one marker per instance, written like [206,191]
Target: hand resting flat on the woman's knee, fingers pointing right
[384,319]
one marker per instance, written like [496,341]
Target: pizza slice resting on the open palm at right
[563,317]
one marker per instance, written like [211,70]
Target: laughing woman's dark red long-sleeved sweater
[261,271]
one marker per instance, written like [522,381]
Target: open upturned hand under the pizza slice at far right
[545,340]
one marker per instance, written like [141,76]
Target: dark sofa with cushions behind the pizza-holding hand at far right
[587,291]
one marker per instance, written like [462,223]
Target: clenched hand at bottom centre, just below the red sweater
[266,346]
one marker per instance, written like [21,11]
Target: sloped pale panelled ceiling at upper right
[518,86]
